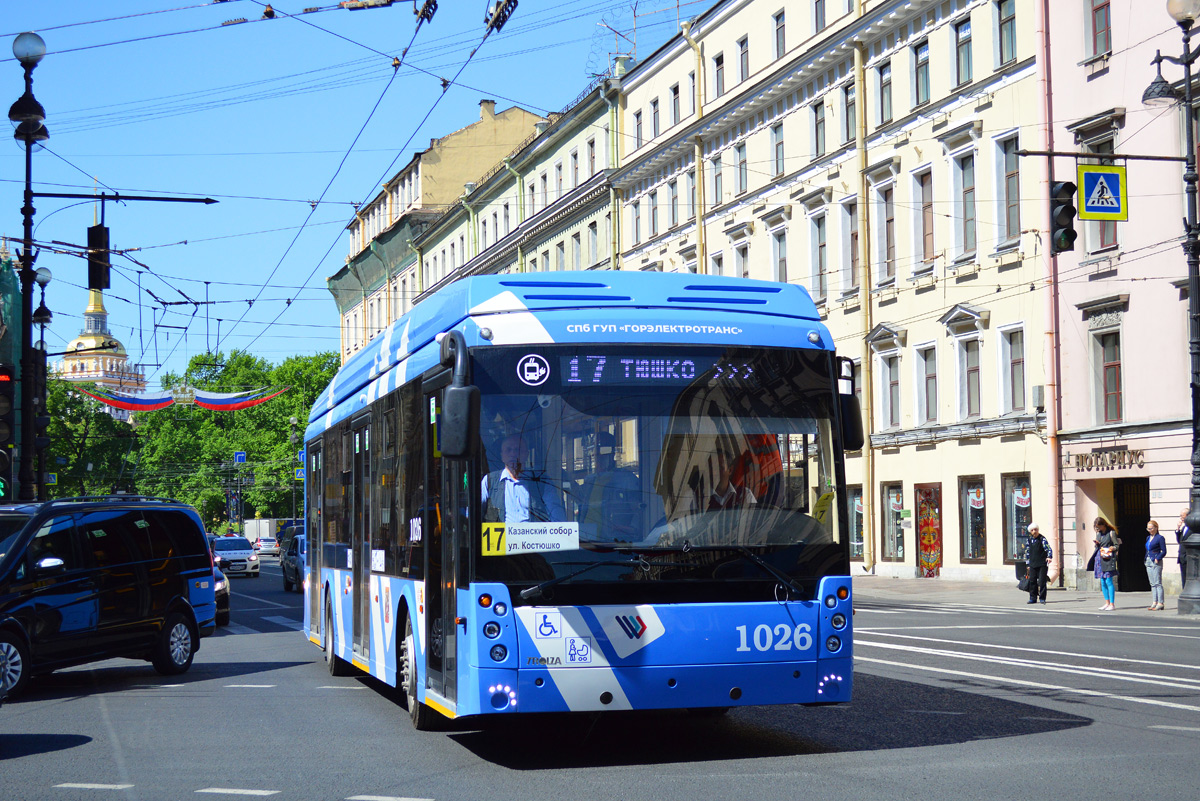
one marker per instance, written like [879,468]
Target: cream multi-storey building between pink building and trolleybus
[868,152]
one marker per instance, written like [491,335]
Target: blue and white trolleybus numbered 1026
[587,492]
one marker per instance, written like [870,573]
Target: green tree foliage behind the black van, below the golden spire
[188,453]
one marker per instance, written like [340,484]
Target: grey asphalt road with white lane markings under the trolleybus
[962,692]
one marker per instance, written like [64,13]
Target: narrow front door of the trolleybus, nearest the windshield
[445,507]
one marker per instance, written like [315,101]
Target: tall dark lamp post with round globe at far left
[29,117]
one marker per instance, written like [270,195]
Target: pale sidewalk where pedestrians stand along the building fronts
[937,591]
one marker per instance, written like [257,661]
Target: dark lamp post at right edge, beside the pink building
[1185,14]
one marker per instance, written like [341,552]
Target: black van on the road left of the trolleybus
[91,579]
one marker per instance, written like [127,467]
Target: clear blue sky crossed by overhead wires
[161,98]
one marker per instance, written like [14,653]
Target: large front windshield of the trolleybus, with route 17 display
[667,465]
